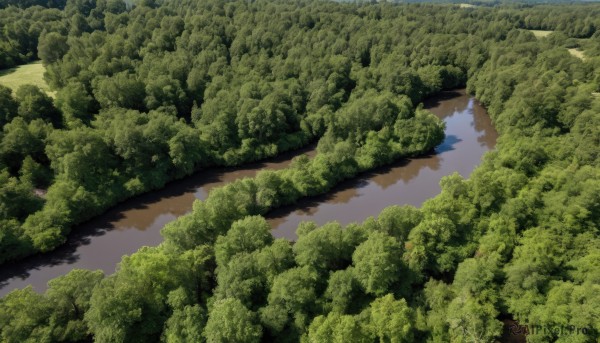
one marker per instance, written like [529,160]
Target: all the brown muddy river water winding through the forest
[101,242]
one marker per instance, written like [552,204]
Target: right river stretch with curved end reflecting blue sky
[469,134]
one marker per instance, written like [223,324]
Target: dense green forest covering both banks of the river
[150,92]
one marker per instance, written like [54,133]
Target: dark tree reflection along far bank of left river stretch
[142,209]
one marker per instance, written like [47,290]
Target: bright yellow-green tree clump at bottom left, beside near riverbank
[137,296]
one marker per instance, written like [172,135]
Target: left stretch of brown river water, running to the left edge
[102,242]
